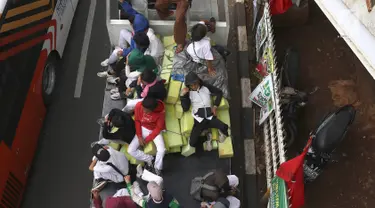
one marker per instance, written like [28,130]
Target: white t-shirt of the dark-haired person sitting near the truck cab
[200,50]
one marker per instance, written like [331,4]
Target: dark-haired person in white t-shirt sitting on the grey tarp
[200,47]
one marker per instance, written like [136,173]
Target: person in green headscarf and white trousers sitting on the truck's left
[137,63]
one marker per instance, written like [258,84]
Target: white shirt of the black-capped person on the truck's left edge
[102,170]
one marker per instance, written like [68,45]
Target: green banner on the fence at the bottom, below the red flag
[278,198]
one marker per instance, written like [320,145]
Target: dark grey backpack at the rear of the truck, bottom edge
[208,187]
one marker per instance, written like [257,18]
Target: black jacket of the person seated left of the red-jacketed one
[126,127]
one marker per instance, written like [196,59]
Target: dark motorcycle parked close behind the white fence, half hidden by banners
[291,98]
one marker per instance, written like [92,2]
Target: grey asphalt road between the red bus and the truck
[60,175]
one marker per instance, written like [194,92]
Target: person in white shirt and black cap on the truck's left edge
[105,162]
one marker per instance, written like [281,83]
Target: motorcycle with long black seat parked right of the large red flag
[325,139]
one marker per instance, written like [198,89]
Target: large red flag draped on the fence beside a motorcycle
[291,172]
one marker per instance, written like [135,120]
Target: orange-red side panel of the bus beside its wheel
[33,113]
